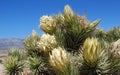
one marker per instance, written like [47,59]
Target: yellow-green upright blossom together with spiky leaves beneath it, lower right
[97,61]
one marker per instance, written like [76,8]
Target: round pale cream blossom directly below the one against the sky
[47,42]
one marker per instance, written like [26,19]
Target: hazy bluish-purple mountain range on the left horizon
[6,44]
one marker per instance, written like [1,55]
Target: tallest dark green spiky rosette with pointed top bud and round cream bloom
[70,29]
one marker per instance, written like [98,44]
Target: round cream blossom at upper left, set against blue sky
[47,24]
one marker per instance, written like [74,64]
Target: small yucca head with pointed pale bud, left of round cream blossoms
[31,43]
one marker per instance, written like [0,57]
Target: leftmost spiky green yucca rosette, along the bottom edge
[13,66]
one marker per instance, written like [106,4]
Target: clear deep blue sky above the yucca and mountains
[19,17]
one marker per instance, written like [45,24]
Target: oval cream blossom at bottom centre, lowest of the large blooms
[59,59]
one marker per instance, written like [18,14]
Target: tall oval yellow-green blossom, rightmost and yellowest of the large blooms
[91,51]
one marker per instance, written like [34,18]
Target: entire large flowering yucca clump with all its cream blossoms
[72,45]
